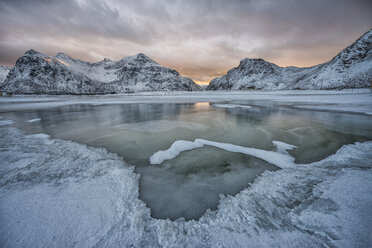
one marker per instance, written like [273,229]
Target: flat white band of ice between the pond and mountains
[352,101]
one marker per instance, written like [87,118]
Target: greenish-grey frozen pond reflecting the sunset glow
[190,183]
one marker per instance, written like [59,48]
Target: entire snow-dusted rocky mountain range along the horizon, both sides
[36,73]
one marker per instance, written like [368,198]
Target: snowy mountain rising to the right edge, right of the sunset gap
[351,68]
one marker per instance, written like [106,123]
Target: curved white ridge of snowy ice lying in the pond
[280,158]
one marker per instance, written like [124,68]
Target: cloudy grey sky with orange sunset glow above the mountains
[200,39]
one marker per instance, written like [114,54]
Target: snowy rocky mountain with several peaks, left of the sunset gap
[36,73]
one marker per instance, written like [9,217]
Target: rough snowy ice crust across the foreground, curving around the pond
[56,193]
